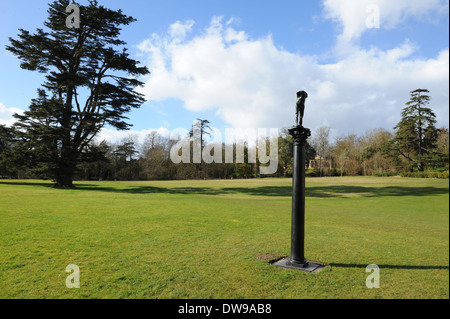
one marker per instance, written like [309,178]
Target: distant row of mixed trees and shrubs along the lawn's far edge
[377,152]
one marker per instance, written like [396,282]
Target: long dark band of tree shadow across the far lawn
[335,191]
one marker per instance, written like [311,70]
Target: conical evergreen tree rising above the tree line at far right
[416,135]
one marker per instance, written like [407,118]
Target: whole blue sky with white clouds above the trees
[240,63]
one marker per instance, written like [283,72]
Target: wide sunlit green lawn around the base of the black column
[213,239]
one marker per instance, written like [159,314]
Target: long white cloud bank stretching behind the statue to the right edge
[252,82]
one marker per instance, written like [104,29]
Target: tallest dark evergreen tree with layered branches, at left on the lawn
[90,83]
